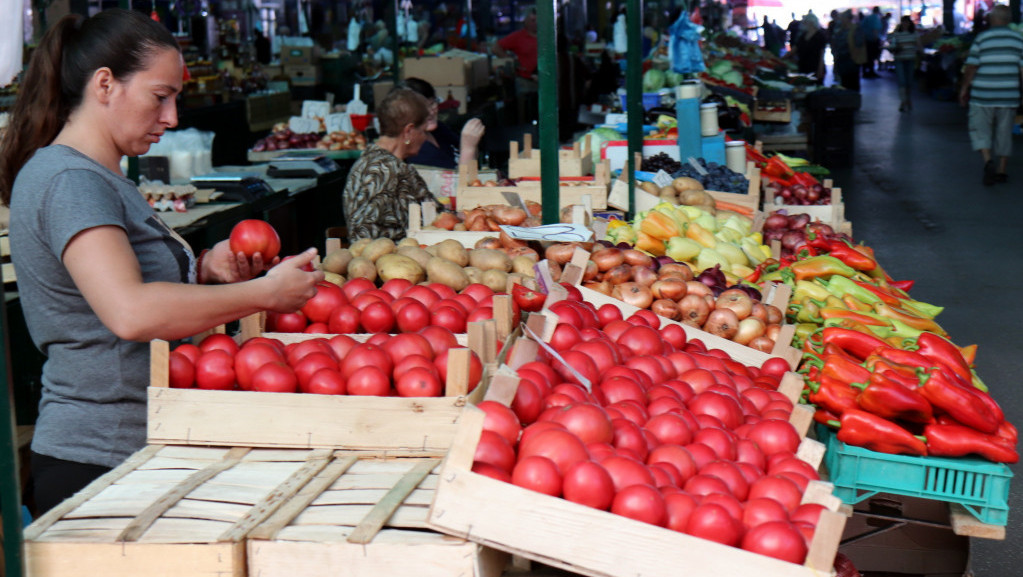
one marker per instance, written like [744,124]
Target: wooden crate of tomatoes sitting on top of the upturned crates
[414,425]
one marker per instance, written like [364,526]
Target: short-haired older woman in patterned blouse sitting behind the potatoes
[381,186]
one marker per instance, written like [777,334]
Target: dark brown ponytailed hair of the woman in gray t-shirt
[62,67]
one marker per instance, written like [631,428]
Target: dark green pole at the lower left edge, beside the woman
[11,491]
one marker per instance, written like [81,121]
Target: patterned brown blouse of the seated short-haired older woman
[378,193]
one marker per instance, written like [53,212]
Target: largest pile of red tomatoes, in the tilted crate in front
[666,432]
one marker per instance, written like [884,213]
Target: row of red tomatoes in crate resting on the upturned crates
[411,365]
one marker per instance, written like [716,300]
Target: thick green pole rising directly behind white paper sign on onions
[547,15]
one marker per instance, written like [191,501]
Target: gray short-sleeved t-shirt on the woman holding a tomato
[94,402]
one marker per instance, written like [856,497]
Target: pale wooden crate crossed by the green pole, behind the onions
[472,197]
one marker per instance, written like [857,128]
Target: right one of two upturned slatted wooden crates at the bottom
[366,517]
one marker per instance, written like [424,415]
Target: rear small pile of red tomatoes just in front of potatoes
[398,306]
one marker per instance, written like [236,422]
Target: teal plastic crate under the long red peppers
[980,485]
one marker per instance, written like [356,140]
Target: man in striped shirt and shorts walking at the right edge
[992,86]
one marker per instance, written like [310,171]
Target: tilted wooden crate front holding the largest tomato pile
[598,544]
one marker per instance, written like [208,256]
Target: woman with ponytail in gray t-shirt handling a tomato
[100,274]
